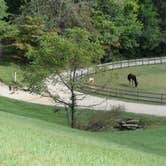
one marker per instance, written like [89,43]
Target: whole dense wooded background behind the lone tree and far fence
[125,29]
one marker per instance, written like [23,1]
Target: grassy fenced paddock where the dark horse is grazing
[150,78]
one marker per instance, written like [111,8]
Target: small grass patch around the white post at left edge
[7,71]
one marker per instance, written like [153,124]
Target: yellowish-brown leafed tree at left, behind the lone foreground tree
[29,30]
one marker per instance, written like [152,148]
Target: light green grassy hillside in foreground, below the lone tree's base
[26,141]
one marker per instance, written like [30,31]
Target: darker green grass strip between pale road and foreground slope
[46,113]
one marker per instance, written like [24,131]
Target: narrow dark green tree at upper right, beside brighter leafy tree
[148,15]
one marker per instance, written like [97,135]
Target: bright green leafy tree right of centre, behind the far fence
[118,25]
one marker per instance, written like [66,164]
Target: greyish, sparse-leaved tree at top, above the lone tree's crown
[60,13]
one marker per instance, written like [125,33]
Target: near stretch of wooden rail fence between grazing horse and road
[137,95]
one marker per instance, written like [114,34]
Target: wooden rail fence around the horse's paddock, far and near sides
[138,95]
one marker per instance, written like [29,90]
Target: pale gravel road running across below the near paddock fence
[87,101]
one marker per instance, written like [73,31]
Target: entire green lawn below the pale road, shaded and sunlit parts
[32,134]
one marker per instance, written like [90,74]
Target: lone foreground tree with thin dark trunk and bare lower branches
[58,58]
